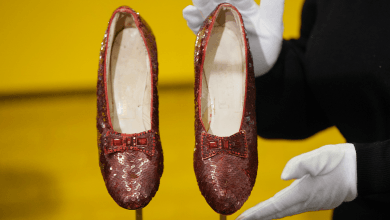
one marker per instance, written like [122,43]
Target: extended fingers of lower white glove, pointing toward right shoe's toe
[286,199]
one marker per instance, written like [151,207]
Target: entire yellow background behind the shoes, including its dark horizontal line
[48,161]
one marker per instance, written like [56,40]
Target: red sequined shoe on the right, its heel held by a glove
[225,157]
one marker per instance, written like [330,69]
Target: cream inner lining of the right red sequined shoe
[223,79]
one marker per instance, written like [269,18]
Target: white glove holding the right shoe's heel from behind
[264,26]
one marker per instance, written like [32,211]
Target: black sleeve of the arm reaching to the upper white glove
[285,106]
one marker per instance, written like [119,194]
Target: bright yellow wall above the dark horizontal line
[54,45]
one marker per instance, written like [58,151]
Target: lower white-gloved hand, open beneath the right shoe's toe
[326,177]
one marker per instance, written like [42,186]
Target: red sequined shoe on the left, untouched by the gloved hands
[130,153]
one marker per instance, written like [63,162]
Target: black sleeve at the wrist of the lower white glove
[373,170]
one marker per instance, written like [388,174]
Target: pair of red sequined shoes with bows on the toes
[225,157]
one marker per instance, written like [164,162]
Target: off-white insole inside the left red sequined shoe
[130,83]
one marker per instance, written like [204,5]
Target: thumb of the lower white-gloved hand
[317,162]
